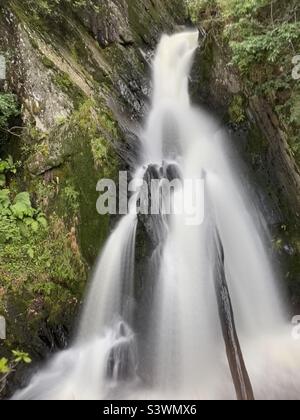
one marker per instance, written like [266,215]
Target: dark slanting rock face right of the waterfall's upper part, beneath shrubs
[220,88]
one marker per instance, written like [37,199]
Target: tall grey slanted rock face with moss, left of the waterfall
[81,73]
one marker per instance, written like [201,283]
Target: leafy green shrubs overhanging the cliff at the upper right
[260,38]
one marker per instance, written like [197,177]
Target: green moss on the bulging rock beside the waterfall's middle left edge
[88,139]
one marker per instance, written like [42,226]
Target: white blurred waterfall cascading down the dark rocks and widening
[202,335]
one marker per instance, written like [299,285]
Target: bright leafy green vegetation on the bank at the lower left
[41,270]
